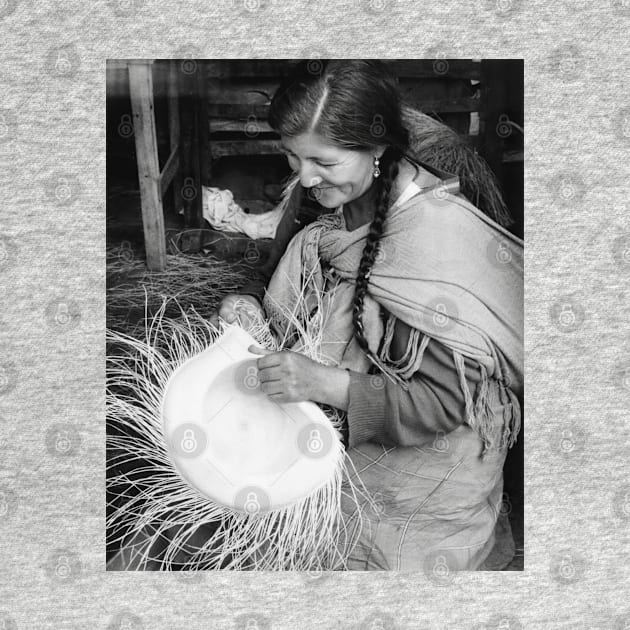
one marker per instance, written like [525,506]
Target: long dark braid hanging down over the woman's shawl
[389,172]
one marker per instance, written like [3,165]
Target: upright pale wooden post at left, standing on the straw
[141,92]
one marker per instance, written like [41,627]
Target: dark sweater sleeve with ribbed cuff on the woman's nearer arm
[384,412]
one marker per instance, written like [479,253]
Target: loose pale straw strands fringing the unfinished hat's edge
[163,523]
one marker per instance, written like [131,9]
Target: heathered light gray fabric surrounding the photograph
[52,249]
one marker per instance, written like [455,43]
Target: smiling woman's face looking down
[335,175]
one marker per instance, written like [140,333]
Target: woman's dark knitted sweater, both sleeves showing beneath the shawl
[380,410]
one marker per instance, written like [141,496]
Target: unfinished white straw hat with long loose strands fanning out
[206,471]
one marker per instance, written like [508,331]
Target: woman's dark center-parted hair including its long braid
[353,104]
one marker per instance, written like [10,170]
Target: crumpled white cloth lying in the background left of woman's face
[223,213]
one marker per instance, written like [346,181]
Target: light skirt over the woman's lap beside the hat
[439,500]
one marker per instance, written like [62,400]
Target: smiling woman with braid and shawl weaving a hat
[423,343]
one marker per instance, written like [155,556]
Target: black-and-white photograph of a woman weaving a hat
[315,319]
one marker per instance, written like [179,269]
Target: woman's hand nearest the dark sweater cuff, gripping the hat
[291,377]
